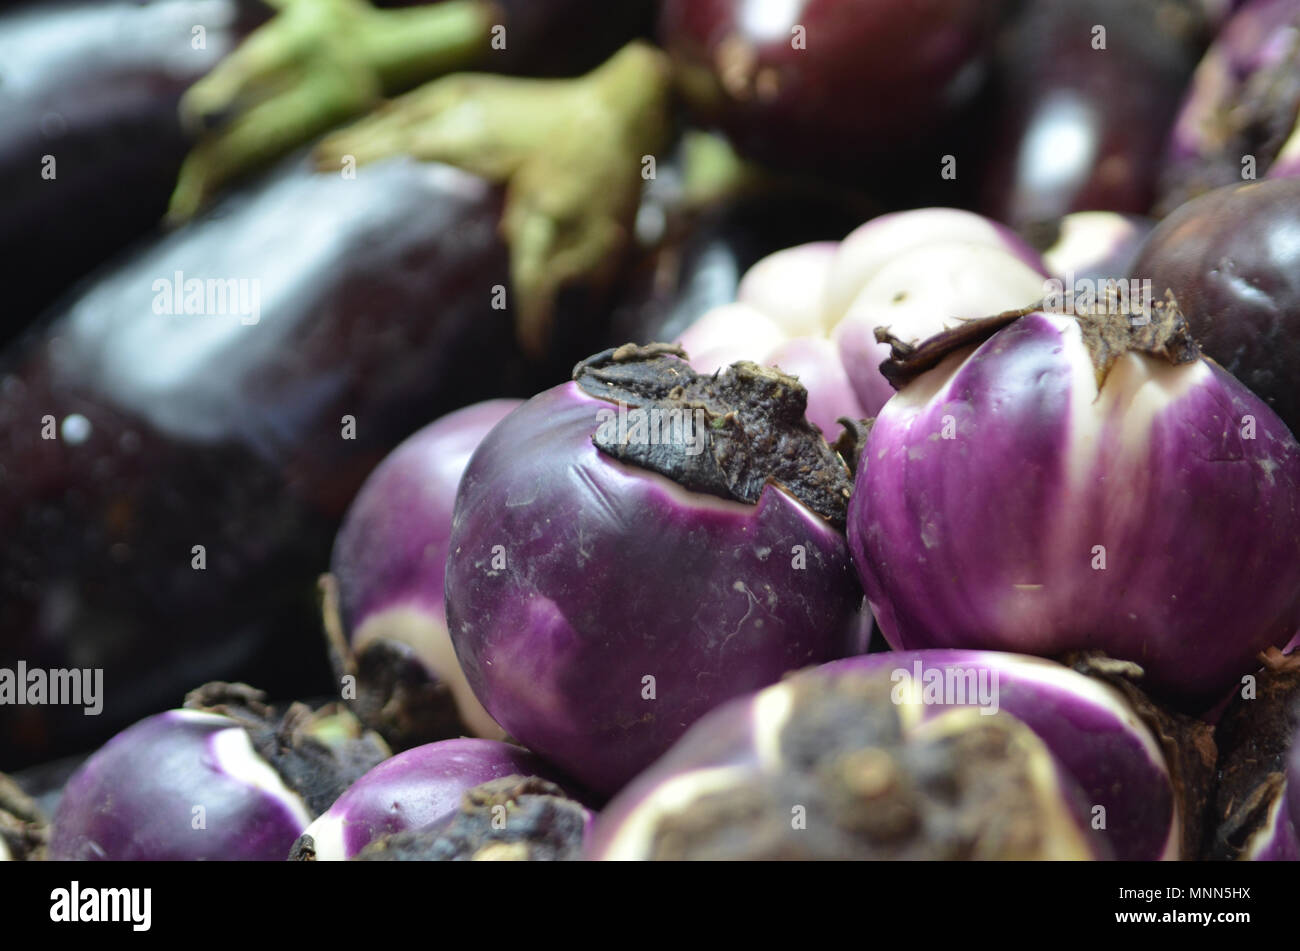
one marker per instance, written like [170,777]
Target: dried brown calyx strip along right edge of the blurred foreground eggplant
[1188,744]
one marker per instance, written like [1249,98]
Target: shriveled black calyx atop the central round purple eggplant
[727,435]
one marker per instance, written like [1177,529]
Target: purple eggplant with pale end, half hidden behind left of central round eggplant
[388,574]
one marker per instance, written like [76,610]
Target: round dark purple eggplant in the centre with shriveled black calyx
[609,588]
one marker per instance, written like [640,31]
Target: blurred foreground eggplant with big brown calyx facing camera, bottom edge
[855,761]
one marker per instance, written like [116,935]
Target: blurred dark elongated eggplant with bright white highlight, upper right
[1084,129]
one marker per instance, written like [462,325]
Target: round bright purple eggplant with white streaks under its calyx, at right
[1041,483]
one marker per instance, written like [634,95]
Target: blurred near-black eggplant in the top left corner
[97,86]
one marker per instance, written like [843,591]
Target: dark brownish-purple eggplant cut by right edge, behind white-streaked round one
[1233,262]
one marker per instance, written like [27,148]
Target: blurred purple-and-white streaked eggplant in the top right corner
[1240,118]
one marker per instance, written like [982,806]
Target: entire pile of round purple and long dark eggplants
[829,536]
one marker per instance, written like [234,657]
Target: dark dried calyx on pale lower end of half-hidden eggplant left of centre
[396,694]
